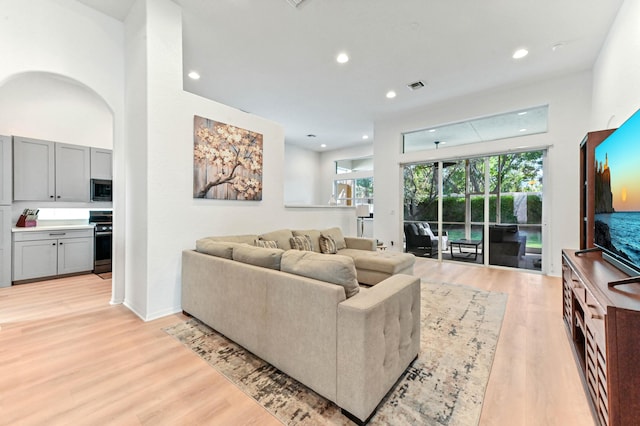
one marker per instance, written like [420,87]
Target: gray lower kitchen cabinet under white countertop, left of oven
[41,254]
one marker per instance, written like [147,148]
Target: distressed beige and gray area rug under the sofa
[444,386]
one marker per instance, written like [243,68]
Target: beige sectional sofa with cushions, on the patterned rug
[304,312]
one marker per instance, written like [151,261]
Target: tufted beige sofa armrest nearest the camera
[378,337]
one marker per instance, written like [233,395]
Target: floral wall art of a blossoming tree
[227,161]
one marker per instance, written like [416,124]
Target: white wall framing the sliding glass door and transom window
[569,99]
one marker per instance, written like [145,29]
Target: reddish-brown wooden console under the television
[604,327]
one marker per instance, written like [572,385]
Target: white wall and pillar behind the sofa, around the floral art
[163,217]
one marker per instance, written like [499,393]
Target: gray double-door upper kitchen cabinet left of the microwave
[50,171]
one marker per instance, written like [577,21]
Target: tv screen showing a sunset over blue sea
[617,196]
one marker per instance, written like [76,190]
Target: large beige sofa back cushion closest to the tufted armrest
[334,269]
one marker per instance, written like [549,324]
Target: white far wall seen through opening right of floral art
[301,182]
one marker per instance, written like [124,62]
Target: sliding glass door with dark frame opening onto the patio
[491,209]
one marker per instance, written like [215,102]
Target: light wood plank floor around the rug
[68,357]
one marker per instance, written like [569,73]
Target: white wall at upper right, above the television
[616,73]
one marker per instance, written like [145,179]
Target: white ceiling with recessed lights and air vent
[278,61]
